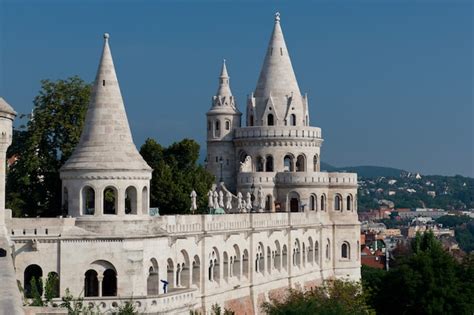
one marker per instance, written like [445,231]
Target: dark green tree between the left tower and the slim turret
[175,174]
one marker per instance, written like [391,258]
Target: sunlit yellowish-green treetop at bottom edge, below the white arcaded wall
[334,297]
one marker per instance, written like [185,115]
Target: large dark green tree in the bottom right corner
[427,281]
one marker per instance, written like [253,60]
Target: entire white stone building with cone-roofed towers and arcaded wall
[300,228]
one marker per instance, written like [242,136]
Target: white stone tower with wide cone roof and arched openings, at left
[106,175]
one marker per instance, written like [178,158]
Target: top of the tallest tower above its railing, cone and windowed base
[277,99]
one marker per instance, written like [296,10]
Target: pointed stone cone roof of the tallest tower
[277,79]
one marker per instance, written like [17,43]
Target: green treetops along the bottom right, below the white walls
[425,279]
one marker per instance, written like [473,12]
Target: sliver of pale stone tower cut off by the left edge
[7,115]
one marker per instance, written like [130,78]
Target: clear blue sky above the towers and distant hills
[390,82]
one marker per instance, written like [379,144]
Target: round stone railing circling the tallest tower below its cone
[278,132]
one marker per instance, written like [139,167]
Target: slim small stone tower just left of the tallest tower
[222,119]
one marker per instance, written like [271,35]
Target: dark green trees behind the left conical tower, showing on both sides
[52,131]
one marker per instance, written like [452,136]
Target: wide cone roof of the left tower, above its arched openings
[106,141]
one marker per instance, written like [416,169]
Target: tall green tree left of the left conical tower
[51,134]
